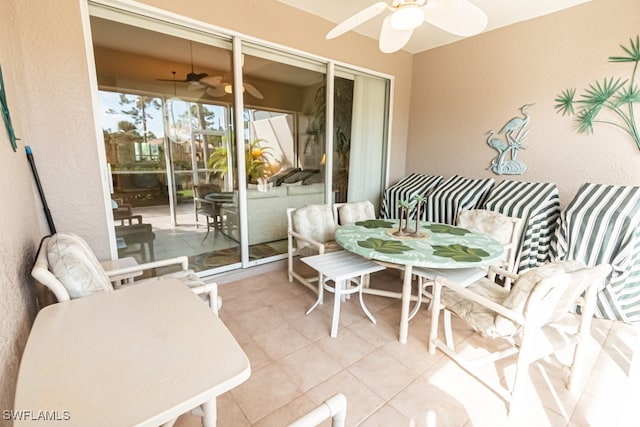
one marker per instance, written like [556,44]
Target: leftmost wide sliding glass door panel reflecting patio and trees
[162,127]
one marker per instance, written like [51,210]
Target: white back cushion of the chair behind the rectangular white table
[75,266]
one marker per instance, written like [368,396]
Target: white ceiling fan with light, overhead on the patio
[459,17]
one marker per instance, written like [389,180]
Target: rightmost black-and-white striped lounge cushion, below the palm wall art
[602,225]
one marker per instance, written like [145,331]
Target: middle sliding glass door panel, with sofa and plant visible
[284,144]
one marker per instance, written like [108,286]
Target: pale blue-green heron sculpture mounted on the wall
[514,132]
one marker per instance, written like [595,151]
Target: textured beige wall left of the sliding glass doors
[45,71]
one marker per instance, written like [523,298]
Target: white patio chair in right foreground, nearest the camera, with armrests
[532,319]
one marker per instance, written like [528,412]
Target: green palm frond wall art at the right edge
[609,101]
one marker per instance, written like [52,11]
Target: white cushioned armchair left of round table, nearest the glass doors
[312,228]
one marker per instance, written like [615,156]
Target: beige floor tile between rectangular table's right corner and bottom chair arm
[269,389]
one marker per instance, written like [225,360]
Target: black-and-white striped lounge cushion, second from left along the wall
[457,193]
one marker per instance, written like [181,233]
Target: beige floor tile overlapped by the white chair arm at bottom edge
[361,400]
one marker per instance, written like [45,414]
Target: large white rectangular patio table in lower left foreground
[141,355]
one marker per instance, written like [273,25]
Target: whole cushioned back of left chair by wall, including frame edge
[66,265]
